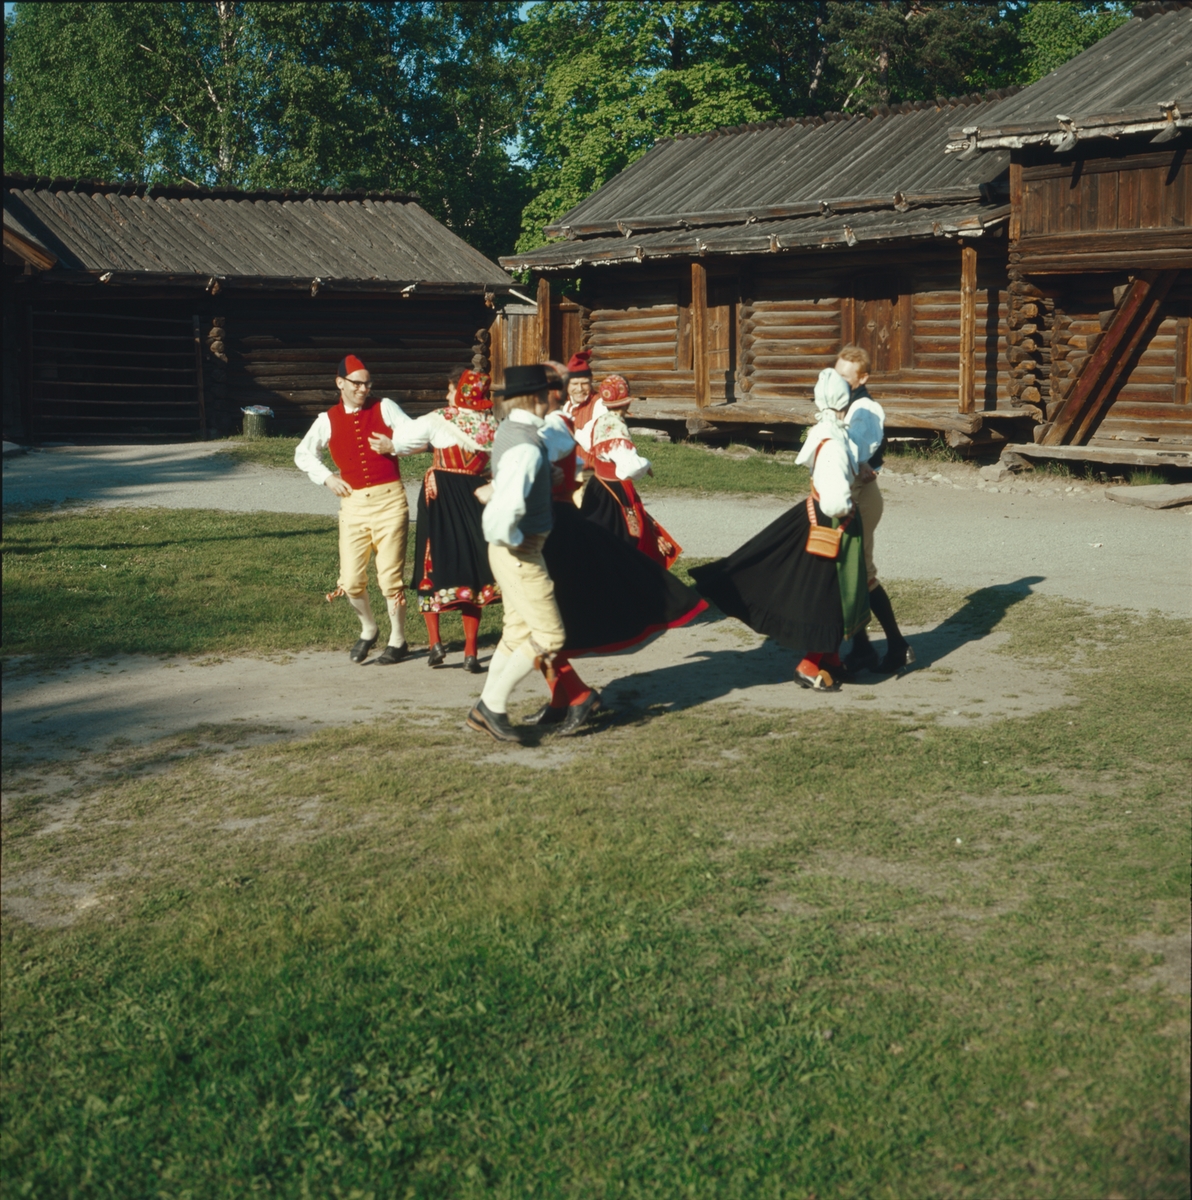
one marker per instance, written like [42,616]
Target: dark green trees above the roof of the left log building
[415,97]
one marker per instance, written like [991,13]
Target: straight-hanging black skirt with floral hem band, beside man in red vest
[451,555]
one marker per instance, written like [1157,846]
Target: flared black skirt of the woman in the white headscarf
[776,587]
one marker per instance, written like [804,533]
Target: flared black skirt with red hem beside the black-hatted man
[610,596]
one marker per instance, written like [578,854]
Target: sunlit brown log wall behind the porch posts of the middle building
[774,327]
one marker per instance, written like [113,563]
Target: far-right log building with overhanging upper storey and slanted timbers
[1100,259]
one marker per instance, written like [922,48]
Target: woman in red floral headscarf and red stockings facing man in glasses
[451,556]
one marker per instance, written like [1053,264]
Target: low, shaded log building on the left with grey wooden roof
[137,313]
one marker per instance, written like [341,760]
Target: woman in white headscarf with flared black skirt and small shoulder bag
[802,580]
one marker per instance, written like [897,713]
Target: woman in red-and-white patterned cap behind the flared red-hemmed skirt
[610,499]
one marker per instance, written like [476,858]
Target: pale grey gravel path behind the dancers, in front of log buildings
[942,524]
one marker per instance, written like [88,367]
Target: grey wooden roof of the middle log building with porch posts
[813,182]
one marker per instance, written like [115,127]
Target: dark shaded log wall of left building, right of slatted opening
[285,355]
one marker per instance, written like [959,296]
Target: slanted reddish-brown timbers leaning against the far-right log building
[1139,315]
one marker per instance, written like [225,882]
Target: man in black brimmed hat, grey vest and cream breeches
[517,525]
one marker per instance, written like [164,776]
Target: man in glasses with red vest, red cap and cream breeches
[374,514]
